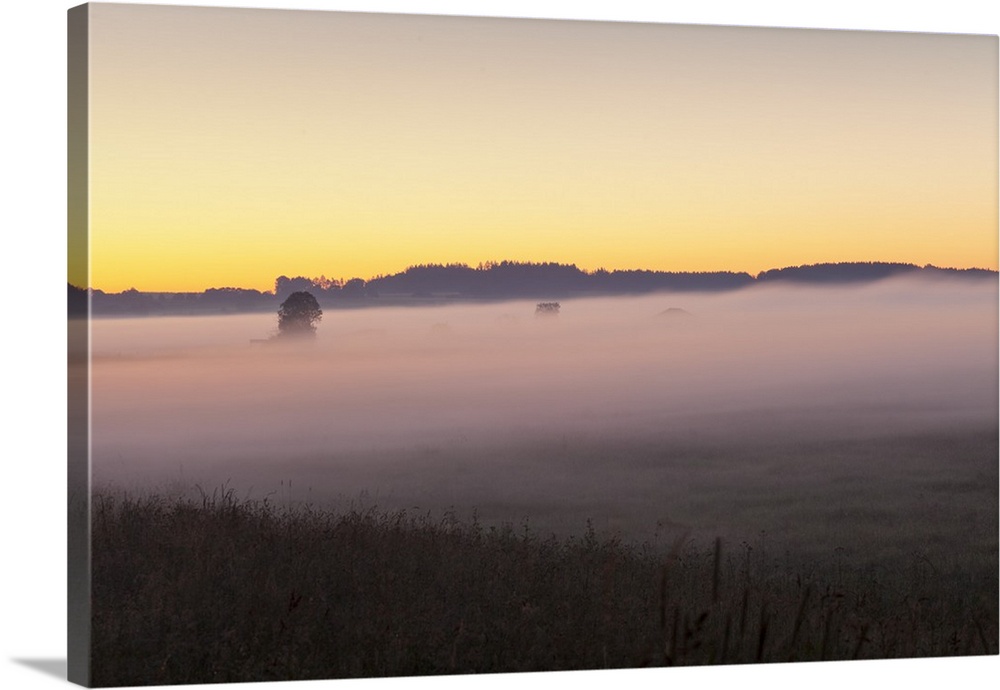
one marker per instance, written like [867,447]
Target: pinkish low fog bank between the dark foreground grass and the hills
[700,411]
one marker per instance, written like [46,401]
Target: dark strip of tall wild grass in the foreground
[219,589]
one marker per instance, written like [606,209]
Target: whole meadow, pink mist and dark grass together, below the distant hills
[770,474]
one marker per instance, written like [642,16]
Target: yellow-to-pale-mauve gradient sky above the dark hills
[231,146]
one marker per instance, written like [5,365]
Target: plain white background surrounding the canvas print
[32,328]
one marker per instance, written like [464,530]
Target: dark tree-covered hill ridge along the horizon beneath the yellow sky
[436,283]
